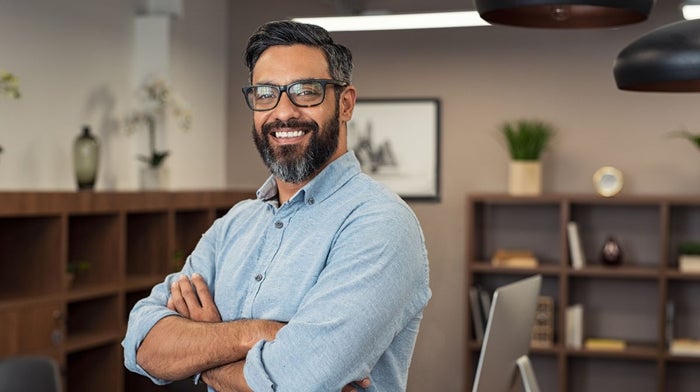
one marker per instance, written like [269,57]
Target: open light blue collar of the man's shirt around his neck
[320,187]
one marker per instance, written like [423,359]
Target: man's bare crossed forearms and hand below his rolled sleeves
[202,342]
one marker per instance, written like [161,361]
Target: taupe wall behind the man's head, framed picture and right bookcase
[485,76]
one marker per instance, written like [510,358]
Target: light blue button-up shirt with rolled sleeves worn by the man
[343,262]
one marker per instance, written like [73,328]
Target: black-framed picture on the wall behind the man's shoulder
[397,142]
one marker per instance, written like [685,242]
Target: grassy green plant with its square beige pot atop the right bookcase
[526,141]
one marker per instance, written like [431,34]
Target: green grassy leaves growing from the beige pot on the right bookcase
[527,139]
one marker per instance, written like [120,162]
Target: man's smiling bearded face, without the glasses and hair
[296,142]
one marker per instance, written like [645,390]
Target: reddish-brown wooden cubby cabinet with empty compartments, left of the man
[121,244]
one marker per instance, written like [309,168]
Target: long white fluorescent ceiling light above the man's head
[397,21]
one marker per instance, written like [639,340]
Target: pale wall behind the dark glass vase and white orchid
[74,61]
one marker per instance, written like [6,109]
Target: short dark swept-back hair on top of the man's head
[287,32]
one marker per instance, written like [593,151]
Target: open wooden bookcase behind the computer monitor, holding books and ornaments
[627,302]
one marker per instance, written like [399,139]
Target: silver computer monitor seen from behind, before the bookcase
[503,361]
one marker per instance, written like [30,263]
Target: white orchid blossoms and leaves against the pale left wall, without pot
[158,101]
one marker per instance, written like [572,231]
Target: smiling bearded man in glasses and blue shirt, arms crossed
[319,282]
